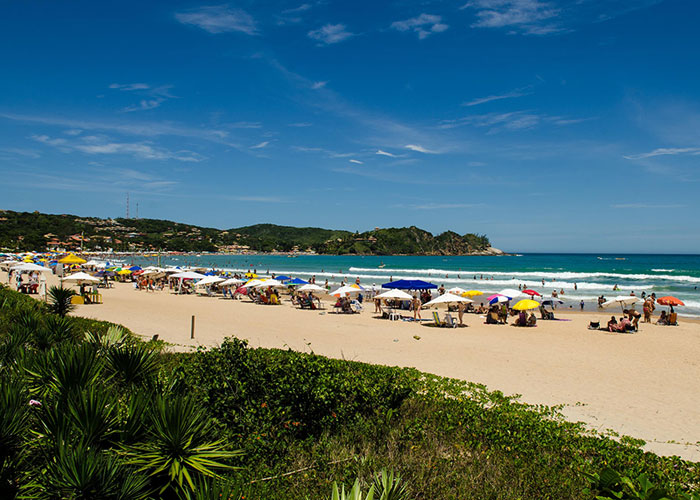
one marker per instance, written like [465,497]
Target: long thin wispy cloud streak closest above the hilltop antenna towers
[97,145]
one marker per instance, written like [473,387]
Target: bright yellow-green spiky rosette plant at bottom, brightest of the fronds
[178,449]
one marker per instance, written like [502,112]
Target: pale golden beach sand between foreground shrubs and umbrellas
[642,385]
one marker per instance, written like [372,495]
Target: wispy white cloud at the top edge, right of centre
[532,17]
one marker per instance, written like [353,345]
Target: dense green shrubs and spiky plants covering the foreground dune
[88,411]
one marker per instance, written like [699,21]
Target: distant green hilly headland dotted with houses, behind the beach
[35,231]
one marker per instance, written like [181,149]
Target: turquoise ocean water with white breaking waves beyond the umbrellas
[581,276]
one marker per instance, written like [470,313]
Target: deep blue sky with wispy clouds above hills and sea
[548,125]
